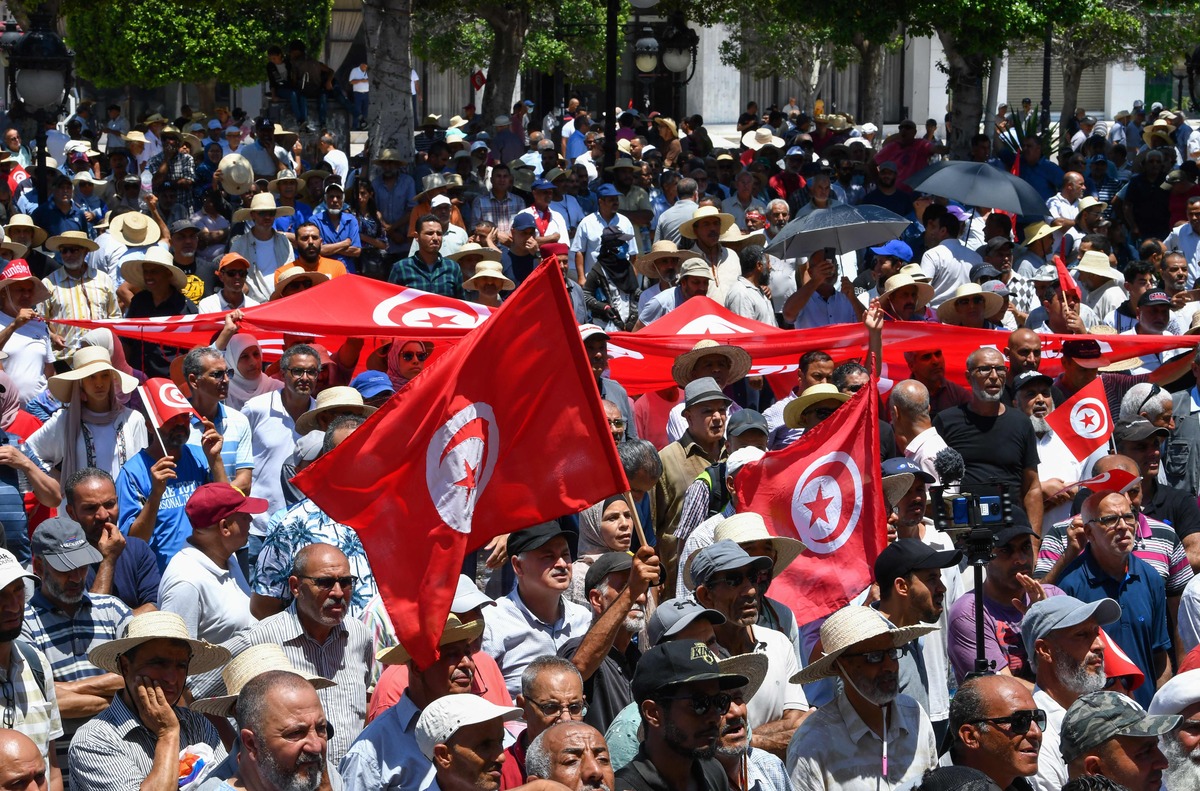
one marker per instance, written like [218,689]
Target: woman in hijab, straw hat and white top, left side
[95,429]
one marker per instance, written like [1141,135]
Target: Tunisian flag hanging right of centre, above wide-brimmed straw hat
[825,490]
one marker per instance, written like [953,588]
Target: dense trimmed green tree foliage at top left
[151,44]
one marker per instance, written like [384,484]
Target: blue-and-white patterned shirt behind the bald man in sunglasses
[291,531]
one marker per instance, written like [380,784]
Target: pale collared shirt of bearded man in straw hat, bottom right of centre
[833,748]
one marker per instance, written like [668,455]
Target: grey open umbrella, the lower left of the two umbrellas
[844,227]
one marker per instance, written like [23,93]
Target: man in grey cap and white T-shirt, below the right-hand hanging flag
[728,580]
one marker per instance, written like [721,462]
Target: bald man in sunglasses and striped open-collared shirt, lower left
[320,640]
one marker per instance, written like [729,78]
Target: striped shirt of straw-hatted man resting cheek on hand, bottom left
[116,751]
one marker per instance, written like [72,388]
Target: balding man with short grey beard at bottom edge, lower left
[284,735]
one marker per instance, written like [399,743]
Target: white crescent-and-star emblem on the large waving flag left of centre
[459,463]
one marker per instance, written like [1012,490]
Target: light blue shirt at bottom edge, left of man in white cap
[386,756]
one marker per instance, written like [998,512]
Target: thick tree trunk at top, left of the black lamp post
[389,28]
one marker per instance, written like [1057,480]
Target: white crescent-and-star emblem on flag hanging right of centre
[827,502]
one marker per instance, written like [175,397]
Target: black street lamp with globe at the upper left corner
[40,73]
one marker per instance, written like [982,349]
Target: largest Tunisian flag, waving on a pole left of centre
[507,427]
